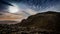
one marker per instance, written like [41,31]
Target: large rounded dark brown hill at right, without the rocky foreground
[49,20]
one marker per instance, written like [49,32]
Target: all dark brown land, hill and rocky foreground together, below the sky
[41,23]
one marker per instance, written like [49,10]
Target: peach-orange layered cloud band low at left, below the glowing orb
[10,17]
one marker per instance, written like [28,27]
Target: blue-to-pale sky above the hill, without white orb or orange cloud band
[31,7]
